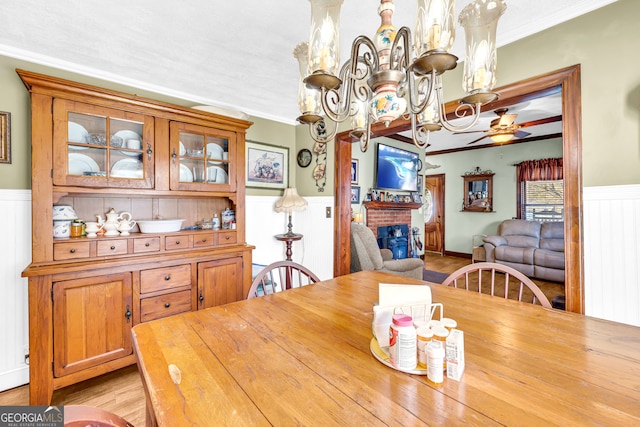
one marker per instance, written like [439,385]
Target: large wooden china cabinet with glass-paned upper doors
[97,149]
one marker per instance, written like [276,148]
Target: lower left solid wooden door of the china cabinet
[91,322]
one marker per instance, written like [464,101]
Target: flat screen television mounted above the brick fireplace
[396,169]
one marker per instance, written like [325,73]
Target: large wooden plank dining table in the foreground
[302,357]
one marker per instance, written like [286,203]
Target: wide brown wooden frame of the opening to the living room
[568,81]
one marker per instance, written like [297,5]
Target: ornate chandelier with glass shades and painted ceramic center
[393,76]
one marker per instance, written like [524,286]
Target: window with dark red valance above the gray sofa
[540,190]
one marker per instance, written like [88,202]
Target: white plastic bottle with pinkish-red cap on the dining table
[403,344]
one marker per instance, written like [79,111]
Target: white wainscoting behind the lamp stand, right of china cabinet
[315,250]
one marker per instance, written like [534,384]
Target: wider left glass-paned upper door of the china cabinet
[101,147]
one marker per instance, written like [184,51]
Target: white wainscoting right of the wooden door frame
[612,252]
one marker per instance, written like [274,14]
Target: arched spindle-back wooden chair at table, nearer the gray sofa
[485,275]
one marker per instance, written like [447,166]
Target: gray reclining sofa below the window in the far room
[534,248]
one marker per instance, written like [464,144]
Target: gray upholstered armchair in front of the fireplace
[366,255]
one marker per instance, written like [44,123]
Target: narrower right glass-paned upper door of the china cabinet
[202,158]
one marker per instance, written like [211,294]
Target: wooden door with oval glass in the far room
[434,213]
